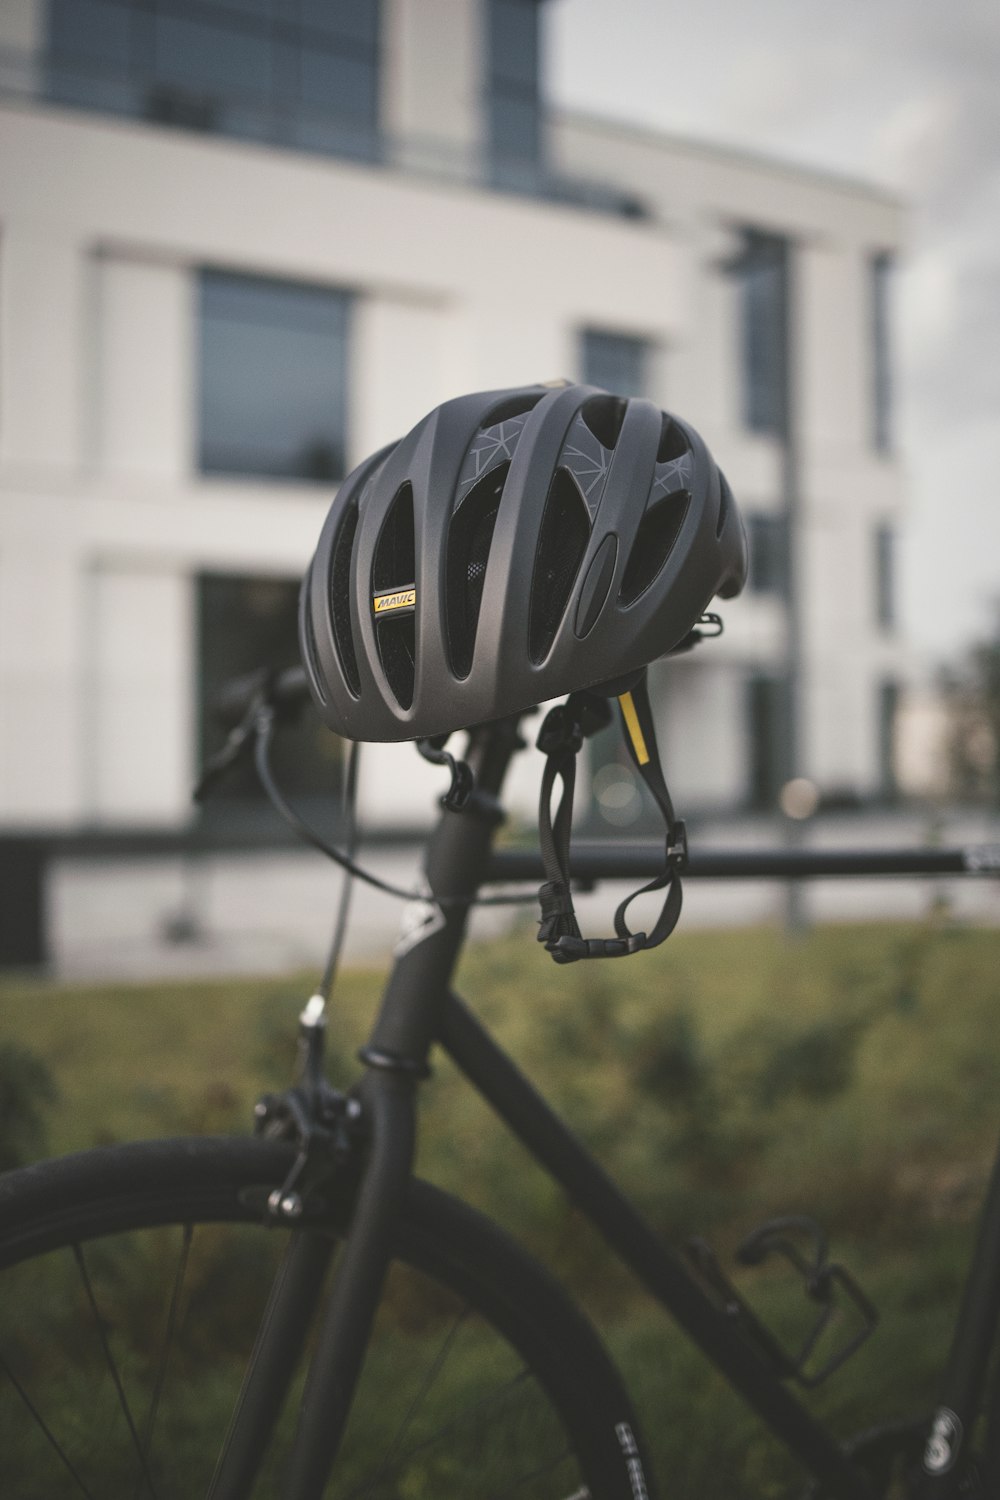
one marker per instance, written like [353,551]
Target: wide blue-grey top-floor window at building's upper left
[302,74]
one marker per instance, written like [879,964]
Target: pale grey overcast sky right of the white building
[905,94]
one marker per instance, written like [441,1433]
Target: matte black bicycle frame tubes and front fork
[419,1009]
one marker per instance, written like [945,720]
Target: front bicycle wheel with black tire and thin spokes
[528,1381]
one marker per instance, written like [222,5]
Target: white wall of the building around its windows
[104,226]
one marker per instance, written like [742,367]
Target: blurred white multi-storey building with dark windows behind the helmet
[242,245]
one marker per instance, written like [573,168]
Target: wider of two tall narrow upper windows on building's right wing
[762,277]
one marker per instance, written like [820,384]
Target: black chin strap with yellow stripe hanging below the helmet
[561,737]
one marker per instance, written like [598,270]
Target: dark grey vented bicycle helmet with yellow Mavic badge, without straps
[515,547]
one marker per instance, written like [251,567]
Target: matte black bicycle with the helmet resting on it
[515,1373]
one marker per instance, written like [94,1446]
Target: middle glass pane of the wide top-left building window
[212,58]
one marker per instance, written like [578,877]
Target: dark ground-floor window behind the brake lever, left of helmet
[247,625]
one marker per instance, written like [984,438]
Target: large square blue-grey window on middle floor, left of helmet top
[274,379]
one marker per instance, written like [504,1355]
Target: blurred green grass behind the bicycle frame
[729,1078]
